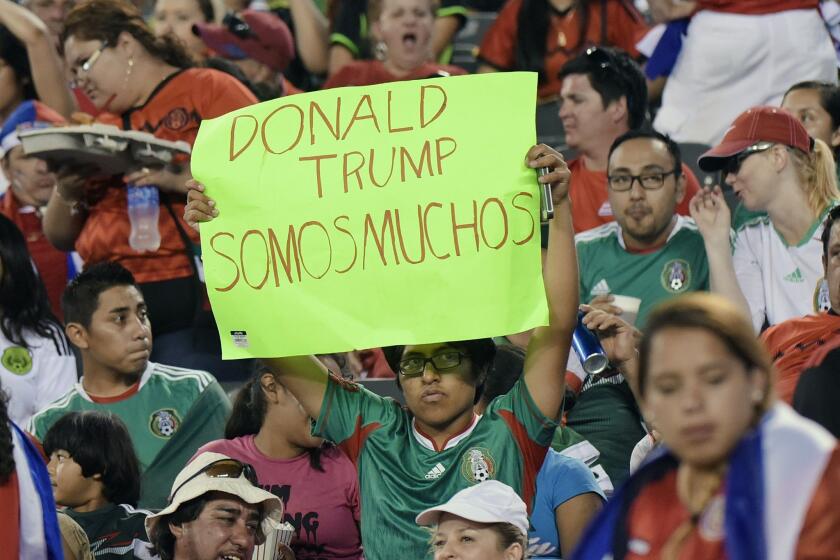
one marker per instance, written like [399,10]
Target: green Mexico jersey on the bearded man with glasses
[607,267]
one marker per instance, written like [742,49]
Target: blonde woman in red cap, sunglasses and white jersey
[775,271]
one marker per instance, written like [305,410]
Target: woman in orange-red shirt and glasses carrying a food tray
[146,83]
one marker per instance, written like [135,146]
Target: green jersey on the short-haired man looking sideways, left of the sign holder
[172,413]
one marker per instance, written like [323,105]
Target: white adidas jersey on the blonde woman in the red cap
[780,281]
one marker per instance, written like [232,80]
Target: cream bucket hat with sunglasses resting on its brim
[199,478]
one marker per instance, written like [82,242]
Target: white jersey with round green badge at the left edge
[35,377]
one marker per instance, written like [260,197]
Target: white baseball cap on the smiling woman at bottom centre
[487,502]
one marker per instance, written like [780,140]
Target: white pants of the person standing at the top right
[739,54]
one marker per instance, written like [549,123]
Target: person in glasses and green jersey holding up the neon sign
[410,459]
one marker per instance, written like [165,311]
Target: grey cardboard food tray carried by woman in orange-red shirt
[112,150]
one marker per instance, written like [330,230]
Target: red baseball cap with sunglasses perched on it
[260,36]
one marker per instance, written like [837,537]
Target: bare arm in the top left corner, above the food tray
[46,66]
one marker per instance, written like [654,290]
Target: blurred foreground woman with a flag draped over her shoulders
[741,475]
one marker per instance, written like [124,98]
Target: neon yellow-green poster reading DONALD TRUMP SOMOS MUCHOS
[401,213]
